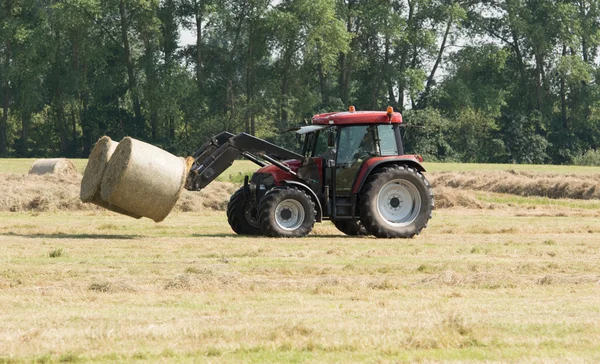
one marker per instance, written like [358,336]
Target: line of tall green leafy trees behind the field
[476,80]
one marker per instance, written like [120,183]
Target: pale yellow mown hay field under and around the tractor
[495,277]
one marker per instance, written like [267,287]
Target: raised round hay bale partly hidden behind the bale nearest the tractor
[94,171]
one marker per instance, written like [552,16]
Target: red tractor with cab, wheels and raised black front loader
[352,171]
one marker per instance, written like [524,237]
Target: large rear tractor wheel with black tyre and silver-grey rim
[396,202]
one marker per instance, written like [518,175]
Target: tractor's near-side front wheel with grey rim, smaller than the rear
[286,212]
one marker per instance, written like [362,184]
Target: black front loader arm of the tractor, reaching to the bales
[214,157]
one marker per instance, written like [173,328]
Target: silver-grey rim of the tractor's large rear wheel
[399,203]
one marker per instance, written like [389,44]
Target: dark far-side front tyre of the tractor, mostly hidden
[241,214]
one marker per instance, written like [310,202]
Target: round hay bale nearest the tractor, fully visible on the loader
[143,179]
